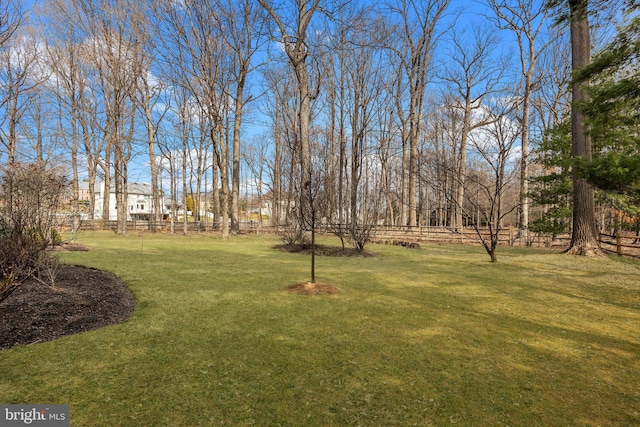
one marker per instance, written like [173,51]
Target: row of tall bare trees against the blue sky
[403,113]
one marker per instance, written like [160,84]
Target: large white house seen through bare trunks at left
[139,201]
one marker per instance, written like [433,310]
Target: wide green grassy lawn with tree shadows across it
[435,336]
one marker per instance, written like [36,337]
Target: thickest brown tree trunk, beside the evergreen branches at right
[584,239]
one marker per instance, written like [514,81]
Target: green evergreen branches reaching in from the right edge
[613,115]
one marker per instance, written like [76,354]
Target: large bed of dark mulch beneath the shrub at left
[82,299]
